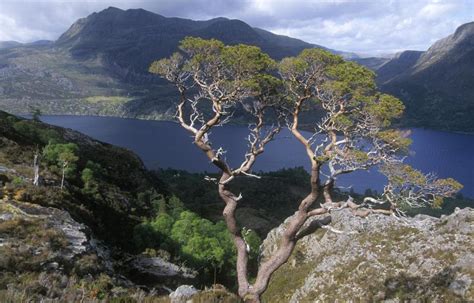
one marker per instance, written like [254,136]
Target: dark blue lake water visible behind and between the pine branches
[167,145]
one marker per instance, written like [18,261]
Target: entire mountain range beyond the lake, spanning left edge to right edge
[99,66]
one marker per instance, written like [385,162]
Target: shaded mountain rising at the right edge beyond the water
[437,86]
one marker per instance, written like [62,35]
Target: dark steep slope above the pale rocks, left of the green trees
[111,209]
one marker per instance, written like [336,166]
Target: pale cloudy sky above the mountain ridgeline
[366,26]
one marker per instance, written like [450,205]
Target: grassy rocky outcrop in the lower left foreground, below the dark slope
[48,249]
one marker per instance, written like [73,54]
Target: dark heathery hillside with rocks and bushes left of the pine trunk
[90,240]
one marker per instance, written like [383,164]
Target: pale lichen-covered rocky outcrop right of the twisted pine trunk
[379,258]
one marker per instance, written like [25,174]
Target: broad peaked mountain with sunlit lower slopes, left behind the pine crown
[99,65]
